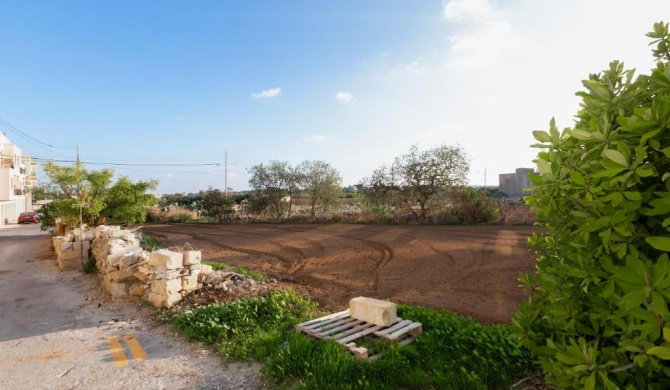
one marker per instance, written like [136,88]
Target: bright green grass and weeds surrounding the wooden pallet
[454,352]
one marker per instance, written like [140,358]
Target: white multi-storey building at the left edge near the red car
[18,174]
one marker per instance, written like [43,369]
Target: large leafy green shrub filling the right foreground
[599,314]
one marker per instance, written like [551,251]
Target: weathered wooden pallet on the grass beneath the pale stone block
[344,329]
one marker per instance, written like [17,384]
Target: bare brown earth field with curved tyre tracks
[471,270]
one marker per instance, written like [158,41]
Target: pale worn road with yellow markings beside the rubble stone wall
[58,331]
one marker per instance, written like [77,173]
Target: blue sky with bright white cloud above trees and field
[140,85]
